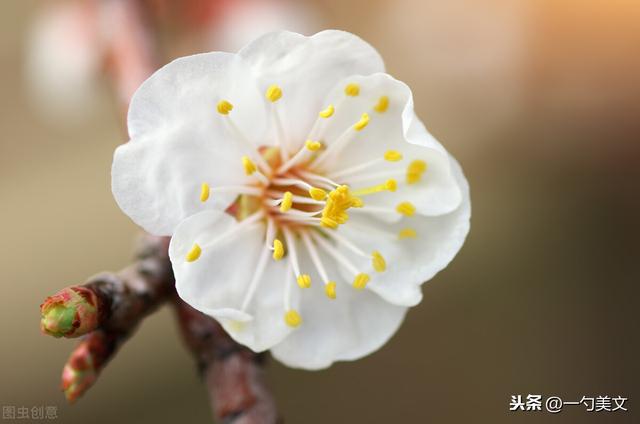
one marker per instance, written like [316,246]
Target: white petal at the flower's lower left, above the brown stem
[217,283]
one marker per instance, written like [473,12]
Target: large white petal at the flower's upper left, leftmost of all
[179,141]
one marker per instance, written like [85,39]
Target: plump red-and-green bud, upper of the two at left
[71,312]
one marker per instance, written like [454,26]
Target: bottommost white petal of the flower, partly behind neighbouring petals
[353,325]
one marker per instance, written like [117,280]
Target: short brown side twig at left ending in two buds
[108,308]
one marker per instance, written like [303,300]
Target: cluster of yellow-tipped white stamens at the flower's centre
[301,205]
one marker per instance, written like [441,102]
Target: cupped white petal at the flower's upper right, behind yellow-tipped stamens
[397,128]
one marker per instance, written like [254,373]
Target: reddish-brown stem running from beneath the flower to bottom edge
[233,373]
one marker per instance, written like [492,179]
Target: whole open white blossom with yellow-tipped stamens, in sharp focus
[306,201]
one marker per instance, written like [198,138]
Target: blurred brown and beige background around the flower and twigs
[538,99]
